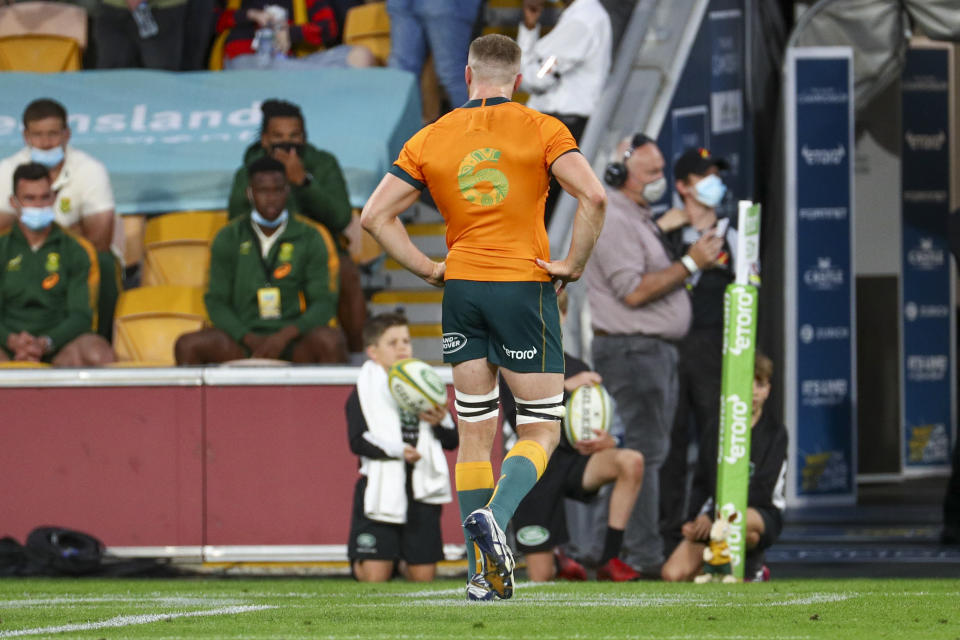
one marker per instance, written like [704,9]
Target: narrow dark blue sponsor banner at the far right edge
[927,314]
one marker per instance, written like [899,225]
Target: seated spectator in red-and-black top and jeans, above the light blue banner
[311,45]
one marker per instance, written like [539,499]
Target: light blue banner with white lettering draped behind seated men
[172,141]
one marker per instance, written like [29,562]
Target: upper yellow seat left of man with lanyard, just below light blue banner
[177,247]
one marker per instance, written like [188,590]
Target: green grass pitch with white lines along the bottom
[335,608]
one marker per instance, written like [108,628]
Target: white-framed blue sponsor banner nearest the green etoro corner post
[819,321]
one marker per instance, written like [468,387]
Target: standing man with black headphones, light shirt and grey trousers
[640,310]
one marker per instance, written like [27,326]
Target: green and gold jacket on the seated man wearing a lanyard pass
[302,267]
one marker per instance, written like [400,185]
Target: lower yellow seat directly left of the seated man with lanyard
[149,320]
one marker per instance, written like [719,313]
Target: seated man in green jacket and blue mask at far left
[48,282]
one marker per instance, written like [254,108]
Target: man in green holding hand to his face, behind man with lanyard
[317,190]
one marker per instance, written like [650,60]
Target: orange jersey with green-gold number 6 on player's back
[487,167]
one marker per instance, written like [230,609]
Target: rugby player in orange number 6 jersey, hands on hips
[487,166]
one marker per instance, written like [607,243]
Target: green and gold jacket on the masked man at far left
[51,291]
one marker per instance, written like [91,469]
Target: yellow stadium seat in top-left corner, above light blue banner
[42,37]
